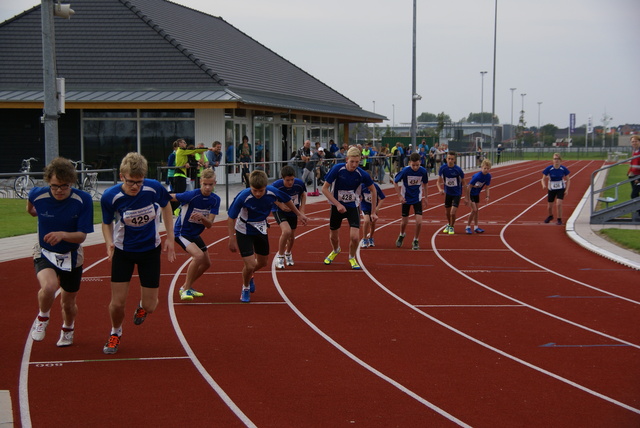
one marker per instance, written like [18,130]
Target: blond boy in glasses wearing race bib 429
[130,225]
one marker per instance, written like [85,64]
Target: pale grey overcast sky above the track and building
[574,56]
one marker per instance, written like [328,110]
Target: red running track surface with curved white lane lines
[515,327]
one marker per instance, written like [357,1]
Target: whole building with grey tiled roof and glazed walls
[142,73]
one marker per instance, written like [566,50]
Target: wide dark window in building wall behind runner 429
[108,135]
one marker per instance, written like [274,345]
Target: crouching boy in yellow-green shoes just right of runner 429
[198,210]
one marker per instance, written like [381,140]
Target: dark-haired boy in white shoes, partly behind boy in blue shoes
[288,221]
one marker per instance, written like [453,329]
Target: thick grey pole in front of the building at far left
[50,112]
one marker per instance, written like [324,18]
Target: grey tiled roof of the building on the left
[147,49]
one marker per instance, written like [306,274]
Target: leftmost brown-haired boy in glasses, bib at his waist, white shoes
[65,216]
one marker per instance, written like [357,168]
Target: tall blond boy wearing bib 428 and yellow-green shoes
[347,179]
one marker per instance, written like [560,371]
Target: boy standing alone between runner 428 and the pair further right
[412,193]
